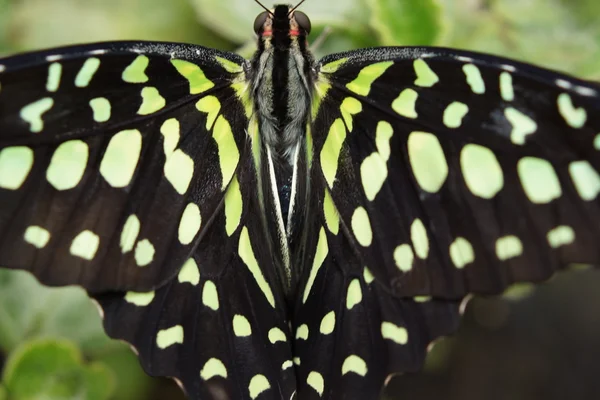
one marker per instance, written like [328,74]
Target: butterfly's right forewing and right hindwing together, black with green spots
[445,173]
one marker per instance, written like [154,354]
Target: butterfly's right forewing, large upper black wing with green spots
[456,172]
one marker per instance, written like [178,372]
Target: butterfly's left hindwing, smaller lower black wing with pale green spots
[219,325]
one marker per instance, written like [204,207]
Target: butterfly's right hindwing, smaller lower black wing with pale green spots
[350,333]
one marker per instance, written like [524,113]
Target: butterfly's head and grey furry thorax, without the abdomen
[282,82]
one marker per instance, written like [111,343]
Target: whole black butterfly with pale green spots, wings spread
[281,226]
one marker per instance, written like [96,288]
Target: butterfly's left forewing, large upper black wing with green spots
[113,158]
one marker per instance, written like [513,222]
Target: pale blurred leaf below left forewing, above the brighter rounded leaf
[30,310]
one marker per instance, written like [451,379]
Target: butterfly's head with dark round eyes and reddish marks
[282,21]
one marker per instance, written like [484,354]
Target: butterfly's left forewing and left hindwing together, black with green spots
[124,168]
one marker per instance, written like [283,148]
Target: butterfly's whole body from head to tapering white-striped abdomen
[281,78]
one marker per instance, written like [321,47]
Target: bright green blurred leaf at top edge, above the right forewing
[405,22]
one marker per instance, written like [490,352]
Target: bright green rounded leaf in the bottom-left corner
[54,370]
